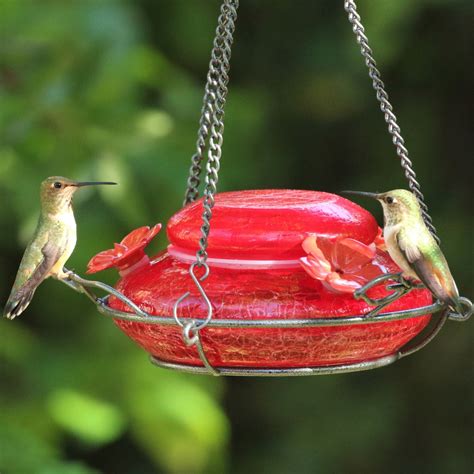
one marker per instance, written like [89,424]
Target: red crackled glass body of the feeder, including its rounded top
[257,277]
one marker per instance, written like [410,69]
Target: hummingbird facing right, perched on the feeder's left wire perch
[52,244]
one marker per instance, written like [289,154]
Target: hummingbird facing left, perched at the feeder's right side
[412,246]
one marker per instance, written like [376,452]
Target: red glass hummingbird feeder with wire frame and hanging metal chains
[284,282]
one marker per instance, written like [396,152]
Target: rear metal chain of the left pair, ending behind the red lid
[217,79]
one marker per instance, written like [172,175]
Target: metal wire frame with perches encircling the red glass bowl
[192,337]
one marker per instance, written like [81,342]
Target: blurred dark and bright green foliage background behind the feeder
[112,90]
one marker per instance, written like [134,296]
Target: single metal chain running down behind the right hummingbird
[387,109]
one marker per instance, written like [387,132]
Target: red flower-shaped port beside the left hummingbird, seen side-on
[128,254]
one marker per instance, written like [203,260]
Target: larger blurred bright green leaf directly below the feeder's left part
[178,422]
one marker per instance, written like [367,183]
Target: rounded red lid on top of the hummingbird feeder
[269,224]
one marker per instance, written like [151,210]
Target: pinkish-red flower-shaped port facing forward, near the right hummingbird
[343,265]
